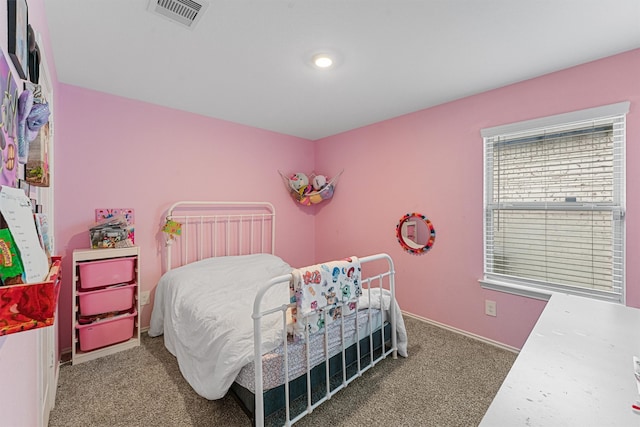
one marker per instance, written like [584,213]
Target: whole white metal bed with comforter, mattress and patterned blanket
[226,300]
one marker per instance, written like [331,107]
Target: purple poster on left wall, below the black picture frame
[8,124]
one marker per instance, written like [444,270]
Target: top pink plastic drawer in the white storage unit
[97,274]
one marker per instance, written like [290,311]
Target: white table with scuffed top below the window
[575,369]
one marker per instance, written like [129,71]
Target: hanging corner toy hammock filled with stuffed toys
[310,189]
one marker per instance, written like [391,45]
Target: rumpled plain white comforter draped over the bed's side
[204,310]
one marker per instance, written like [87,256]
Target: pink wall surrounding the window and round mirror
[431,162]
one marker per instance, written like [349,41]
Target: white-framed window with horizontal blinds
[554,205]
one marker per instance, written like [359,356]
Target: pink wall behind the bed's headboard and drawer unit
[115,152]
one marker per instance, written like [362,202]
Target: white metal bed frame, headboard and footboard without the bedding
[195,215]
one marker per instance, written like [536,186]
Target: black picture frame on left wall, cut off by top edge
[17,38]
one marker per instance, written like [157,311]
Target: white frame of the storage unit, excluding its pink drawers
[81,256]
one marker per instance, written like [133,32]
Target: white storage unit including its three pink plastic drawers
[106,302]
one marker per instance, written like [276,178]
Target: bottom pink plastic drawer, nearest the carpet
[106,332]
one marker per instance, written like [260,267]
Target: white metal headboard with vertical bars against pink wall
[210,229]
